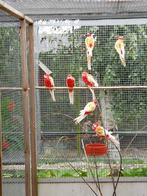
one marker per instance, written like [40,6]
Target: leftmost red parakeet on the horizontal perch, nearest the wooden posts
[49,83]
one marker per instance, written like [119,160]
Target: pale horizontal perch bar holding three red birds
[98,88]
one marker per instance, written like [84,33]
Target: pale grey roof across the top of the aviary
[81,8]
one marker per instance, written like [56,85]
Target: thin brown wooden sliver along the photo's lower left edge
[1,186]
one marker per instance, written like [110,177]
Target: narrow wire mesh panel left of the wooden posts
[12,125]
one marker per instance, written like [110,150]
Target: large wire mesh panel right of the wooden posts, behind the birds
[121,95]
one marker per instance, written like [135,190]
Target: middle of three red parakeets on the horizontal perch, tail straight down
[70,83]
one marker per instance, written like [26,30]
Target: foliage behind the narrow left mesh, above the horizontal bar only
[10,65]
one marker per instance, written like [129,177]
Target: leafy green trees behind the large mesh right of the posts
[128,106]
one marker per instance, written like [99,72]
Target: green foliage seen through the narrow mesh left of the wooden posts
[10,69]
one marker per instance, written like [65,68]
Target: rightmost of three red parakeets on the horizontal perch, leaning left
[89,80]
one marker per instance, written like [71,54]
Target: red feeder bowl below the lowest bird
[96,149]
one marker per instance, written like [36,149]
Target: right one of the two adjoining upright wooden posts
[32,111]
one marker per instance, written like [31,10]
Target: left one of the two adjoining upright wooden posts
[25,102]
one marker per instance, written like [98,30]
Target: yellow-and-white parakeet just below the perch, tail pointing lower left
[88,109]
